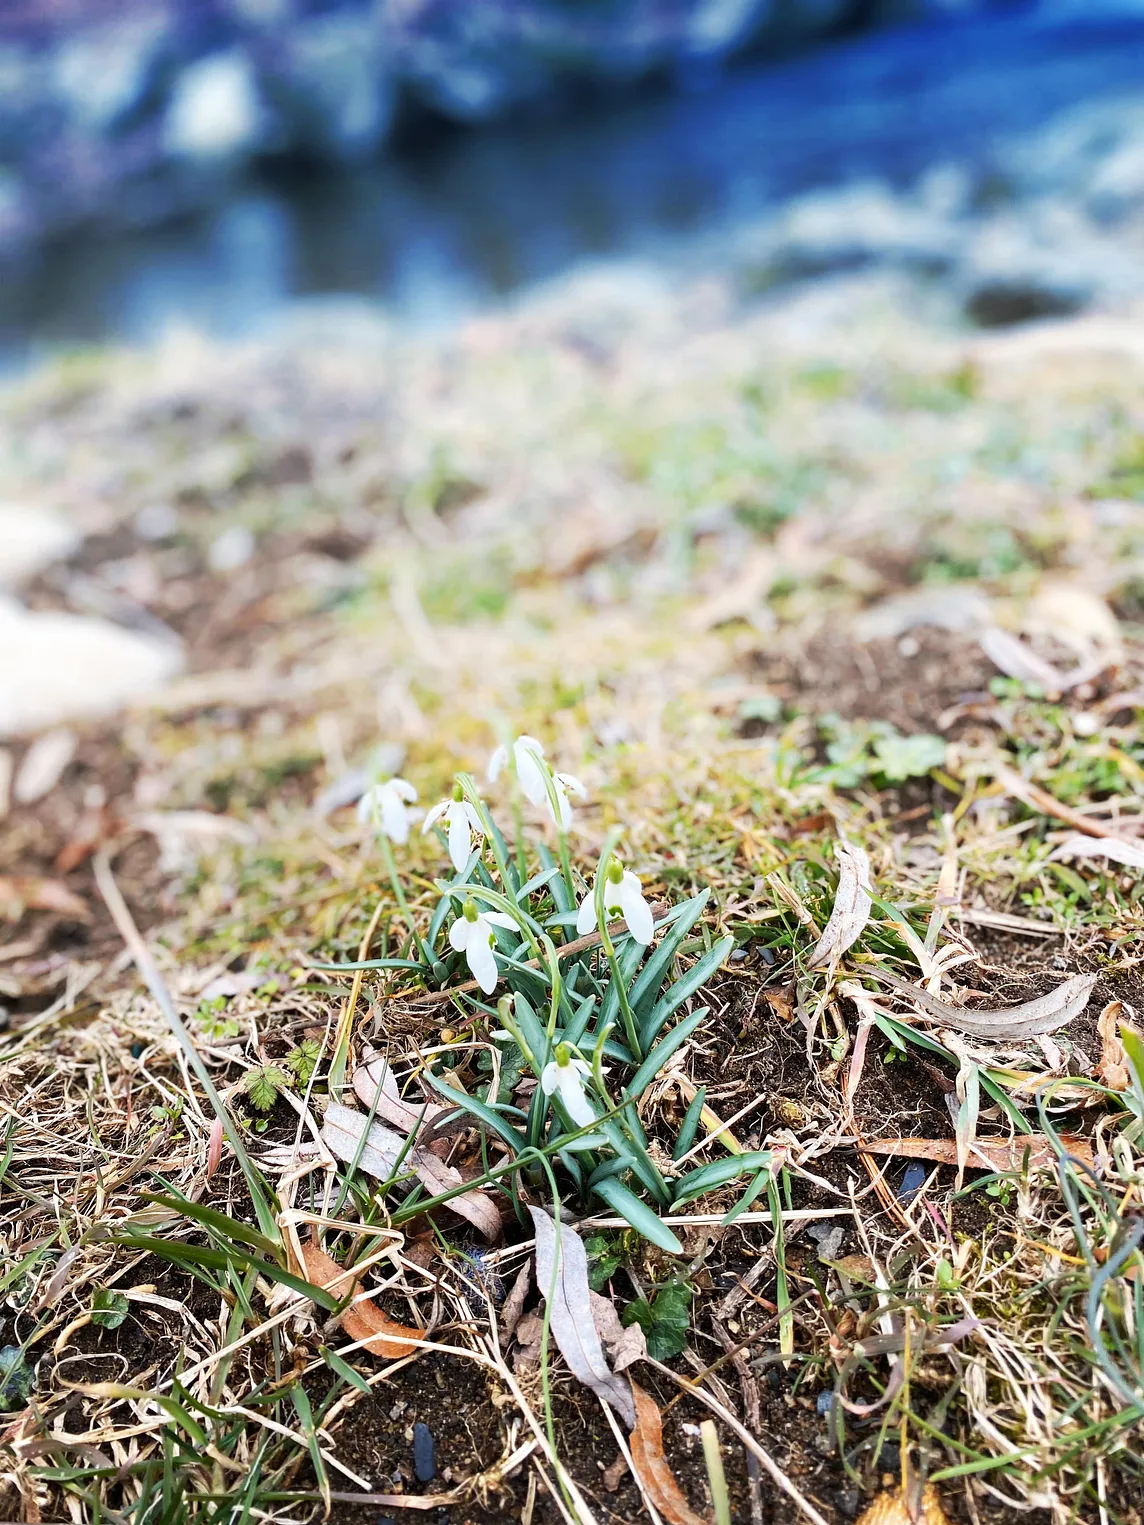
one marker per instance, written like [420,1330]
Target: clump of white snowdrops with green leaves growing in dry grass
[588,994]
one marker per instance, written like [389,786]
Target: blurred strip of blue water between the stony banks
[481,213]
